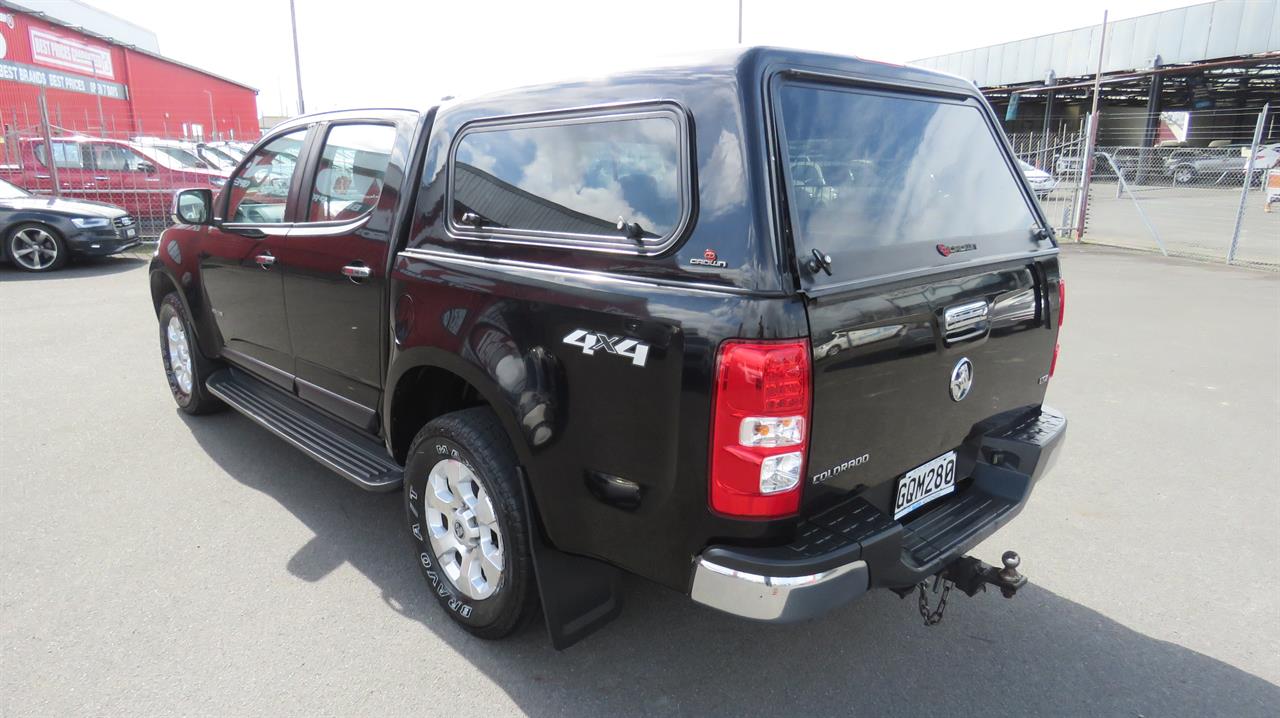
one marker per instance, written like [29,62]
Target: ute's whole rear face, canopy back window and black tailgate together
[924,264]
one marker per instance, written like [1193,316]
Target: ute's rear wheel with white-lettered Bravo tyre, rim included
[467,518]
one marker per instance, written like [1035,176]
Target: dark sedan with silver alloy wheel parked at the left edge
[43,234]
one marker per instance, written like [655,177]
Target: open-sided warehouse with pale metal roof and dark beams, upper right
[1195,75]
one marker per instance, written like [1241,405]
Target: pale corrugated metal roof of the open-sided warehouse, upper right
[1197,34]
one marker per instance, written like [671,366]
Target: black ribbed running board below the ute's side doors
[350,454]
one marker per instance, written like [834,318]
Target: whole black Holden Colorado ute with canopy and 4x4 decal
[769,328]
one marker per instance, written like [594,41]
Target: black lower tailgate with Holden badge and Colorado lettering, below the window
[884,367]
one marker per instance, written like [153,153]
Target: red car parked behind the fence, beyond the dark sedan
[136,179]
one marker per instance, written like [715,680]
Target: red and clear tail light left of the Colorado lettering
[760,428]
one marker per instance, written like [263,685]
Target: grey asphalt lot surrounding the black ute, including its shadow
[159,565]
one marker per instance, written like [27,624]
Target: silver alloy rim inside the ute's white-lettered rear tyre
[463,529]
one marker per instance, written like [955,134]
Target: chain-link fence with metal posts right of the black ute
[1208,202]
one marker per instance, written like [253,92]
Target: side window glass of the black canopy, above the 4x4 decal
[574,181]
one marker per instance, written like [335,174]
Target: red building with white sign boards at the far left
[95,85]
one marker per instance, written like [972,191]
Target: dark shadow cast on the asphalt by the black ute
[1036,655]
